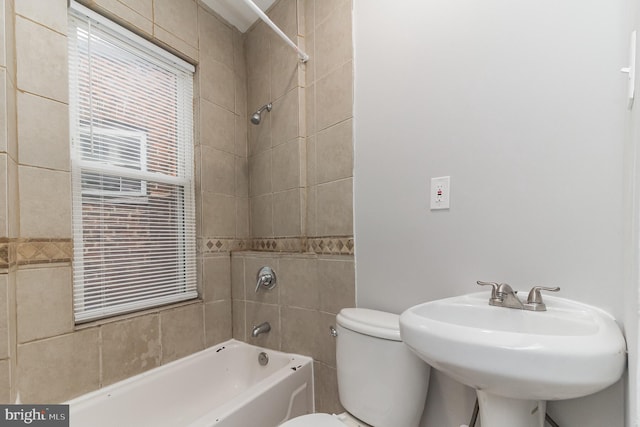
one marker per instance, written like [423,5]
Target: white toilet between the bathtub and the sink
[381,382]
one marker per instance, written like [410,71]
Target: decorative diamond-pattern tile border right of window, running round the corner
[329,245]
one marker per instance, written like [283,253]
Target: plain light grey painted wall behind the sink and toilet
[523,105]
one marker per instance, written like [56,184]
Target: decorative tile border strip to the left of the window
[34,251]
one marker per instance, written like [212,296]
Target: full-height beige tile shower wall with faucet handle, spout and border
[300,185]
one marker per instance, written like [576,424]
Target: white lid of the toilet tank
[375,323]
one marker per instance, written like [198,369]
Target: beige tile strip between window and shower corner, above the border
[223,170]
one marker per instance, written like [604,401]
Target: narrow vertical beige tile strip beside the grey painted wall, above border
[329,116]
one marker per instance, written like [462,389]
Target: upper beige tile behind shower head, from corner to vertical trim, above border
[276,146]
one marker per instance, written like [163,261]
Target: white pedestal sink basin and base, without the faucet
[517,359]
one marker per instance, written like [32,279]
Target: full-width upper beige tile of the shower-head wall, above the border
[306,142]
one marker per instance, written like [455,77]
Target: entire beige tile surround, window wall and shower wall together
[277,194]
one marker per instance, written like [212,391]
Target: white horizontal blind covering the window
[131,108]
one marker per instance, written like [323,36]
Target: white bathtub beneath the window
[223,386]
